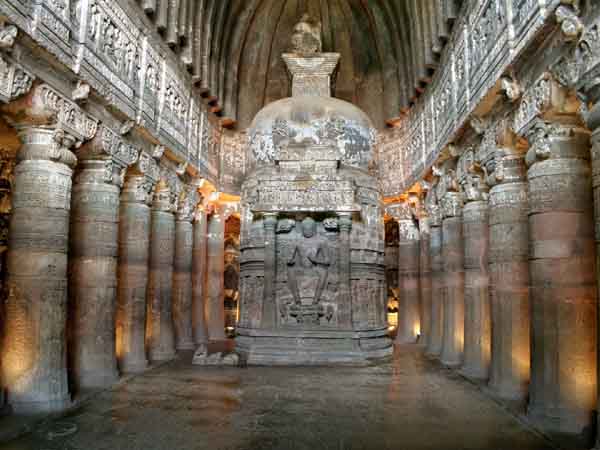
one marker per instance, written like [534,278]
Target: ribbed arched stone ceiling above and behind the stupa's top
[389,48]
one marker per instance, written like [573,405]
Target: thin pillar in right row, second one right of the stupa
[425,278]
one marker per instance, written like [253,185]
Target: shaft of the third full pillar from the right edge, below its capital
[477,351]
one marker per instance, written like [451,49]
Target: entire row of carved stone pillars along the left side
[101,279]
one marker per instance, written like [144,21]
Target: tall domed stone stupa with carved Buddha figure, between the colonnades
[312,278]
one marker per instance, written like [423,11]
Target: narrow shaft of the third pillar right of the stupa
[434,347]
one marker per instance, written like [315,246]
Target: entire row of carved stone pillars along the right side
[498,271]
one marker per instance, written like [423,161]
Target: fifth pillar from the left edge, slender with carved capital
[182,272]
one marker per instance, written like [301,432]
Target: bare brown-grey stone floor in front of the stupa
[409,404]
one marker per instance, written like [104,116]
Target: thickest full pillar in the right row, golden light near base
[563,279]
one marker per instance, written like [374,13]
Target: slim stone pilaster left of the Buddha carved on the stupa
[269,309]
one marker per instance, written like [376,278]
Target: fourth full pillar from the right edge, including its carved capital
[454,277]
